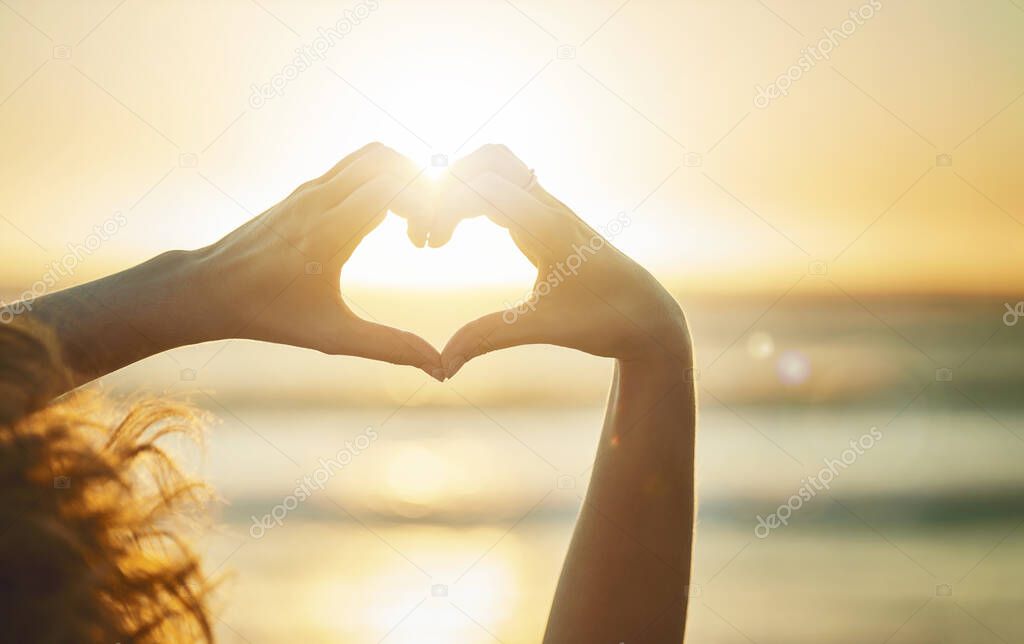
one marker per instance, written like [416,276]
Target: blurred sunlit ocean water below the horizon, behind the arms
[442,512]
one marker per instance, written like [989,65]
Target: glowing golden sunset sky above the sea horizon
[148,110]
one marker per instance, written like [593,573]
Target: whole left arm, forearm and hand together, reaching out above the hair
[274,279]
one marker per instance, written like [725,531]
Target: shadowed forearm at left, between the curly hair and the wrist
[119,320]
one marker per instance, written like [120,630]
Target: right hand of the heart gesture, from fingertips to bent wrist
[588,295]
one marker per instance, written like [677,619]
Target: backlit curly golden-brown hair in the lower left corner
[93,545]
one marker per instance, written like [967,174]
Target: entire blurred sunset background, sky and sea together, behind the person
[850,256]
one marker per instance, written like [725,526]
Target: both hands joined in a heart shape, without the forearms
[280,272]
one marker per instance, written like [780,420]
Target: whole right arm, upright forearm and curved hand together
[628,568]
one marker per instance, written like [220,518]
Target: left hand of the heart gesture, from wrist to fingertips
[277,278]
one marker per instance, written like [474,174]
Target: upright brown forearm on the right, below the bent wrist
[626,575]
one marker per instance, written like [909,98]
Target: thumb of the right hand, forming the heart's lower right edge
[515,327]
